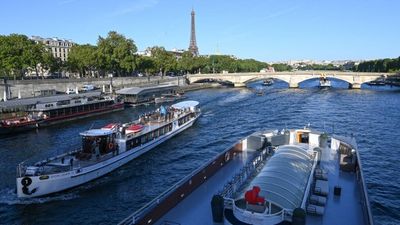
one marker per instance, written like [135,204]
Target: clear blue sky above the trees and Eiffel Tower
[267,30]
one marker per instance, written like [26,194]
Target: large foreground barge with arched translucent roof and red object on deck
[296,176]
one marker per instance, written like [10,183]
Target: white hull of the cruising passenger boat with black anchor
[35,186]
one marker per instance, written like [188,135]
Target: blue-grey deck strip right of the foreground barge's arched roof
[343,209]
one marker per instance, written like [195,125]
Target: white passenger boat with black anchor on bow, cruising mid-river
[104,150]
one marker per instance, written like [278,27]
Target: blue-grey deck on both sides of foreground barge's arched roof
[344,209]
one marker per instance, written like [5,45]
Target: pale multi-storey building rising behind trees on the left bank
[58,47]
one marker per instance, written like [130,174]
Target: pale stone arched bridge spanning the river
[355,79]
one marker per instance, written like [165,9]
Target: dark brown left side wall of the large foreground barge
[140,213]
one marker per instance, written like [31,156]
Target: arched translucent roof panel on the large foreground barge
[283,179]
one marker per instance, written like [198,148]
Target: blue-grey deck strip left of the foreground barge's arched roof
[195,209]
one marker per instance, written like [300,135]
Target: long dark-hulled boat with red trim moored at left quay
[50,113]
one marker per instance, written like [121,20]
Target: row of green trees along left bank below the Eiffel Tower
[114,54]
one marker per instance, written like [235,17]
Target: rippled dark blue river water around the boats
[372,114]
